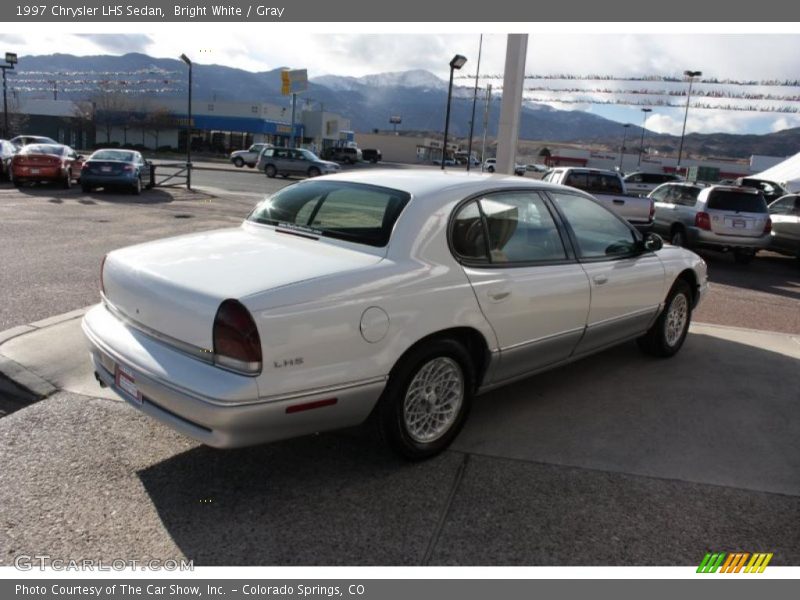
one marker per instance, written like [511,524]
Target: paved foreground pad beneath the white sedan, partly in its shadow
[617,459]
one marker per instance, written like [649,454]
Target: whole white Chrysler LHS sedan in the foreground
[396,294]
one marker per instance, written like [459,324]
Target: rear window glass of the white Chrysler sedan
[364,214]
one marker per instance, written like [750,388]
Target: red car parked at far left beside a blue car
[46,162]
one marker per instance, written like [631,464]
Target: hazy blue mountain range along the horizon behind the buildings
[417,96]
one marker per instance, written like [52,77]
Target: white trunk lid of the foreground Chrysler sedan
[175,286]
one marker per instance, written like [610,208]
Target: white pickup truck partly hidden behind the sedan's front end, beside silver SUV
[608,188]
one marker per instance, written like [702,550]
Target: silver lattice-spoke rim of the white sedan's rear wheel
[433,400]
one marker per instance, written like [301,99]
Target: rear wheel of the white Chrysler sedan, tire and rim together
[427,399]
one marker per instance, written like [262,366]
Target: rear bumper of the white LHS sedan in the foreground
[214,406]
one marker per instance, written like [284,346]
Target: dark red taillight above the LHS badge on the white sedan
[237,345]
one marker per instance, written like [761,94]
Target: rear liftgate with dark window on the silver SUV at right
[737,212]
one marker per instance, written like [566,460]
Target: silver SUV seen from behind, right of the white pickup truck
[719,217]
